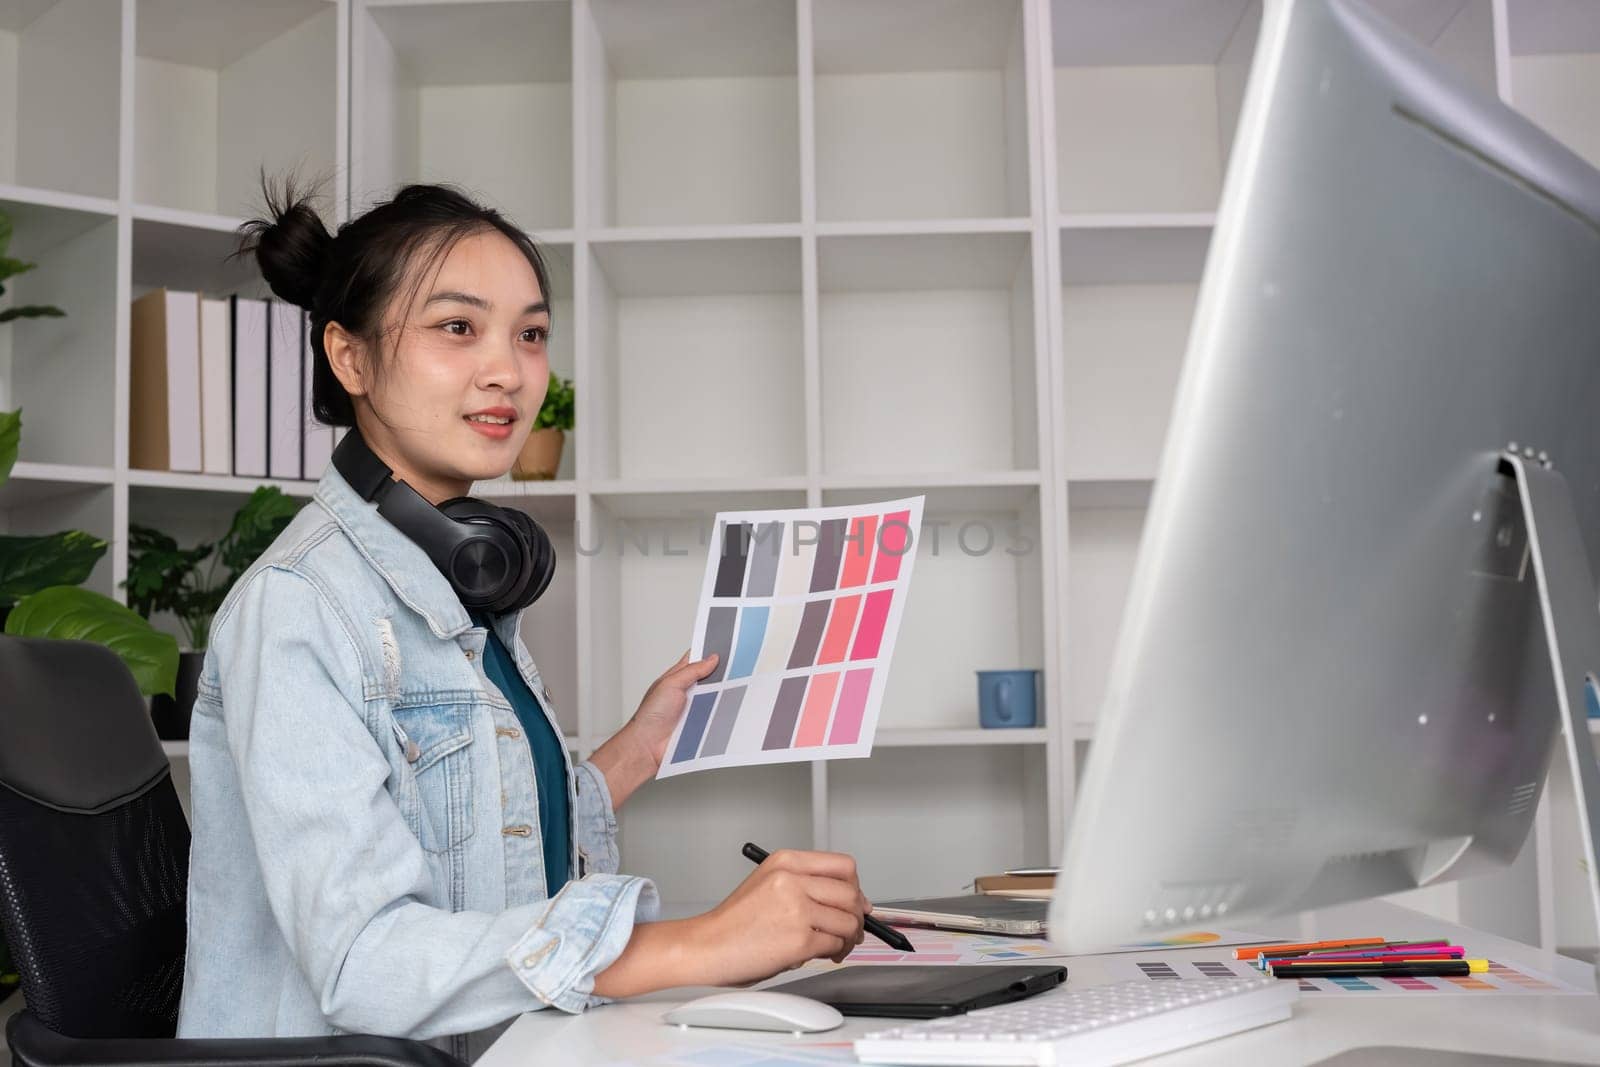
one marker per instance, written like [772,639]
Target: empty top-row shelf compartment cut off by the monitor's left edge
[1146,98]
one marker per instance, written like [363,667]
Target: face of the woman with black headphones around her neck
[468,372]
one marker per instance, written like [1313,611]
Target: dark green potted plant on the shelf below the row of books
[191,585]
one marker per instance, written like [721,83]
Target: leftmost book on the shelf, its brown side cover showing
[164,428]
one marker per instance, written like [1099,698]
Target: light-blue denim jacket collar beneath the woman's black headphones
[402,564]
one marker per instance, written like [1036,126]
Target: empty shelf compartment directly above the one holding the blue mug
[929,354]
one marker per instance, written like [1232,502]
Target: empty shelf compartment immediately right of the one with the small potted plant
[700,345]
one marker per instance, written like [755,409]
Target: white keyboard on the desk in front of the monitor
[1097,1026]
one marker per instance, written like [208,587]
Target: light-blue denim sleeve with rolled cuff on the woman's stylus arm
[343,873]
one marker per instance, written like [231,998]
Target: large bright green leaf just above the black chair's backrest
[81,615]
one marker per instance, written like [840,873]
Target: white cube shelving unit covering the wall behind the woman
[804,252]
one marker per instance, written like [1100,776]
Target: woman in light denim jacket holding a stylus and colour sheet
[390,836]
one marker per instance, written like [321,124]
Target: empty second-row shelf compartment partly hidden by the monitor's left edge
[1127,303]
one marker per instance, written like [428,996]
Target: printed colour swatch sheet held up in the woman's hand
[802,609]
